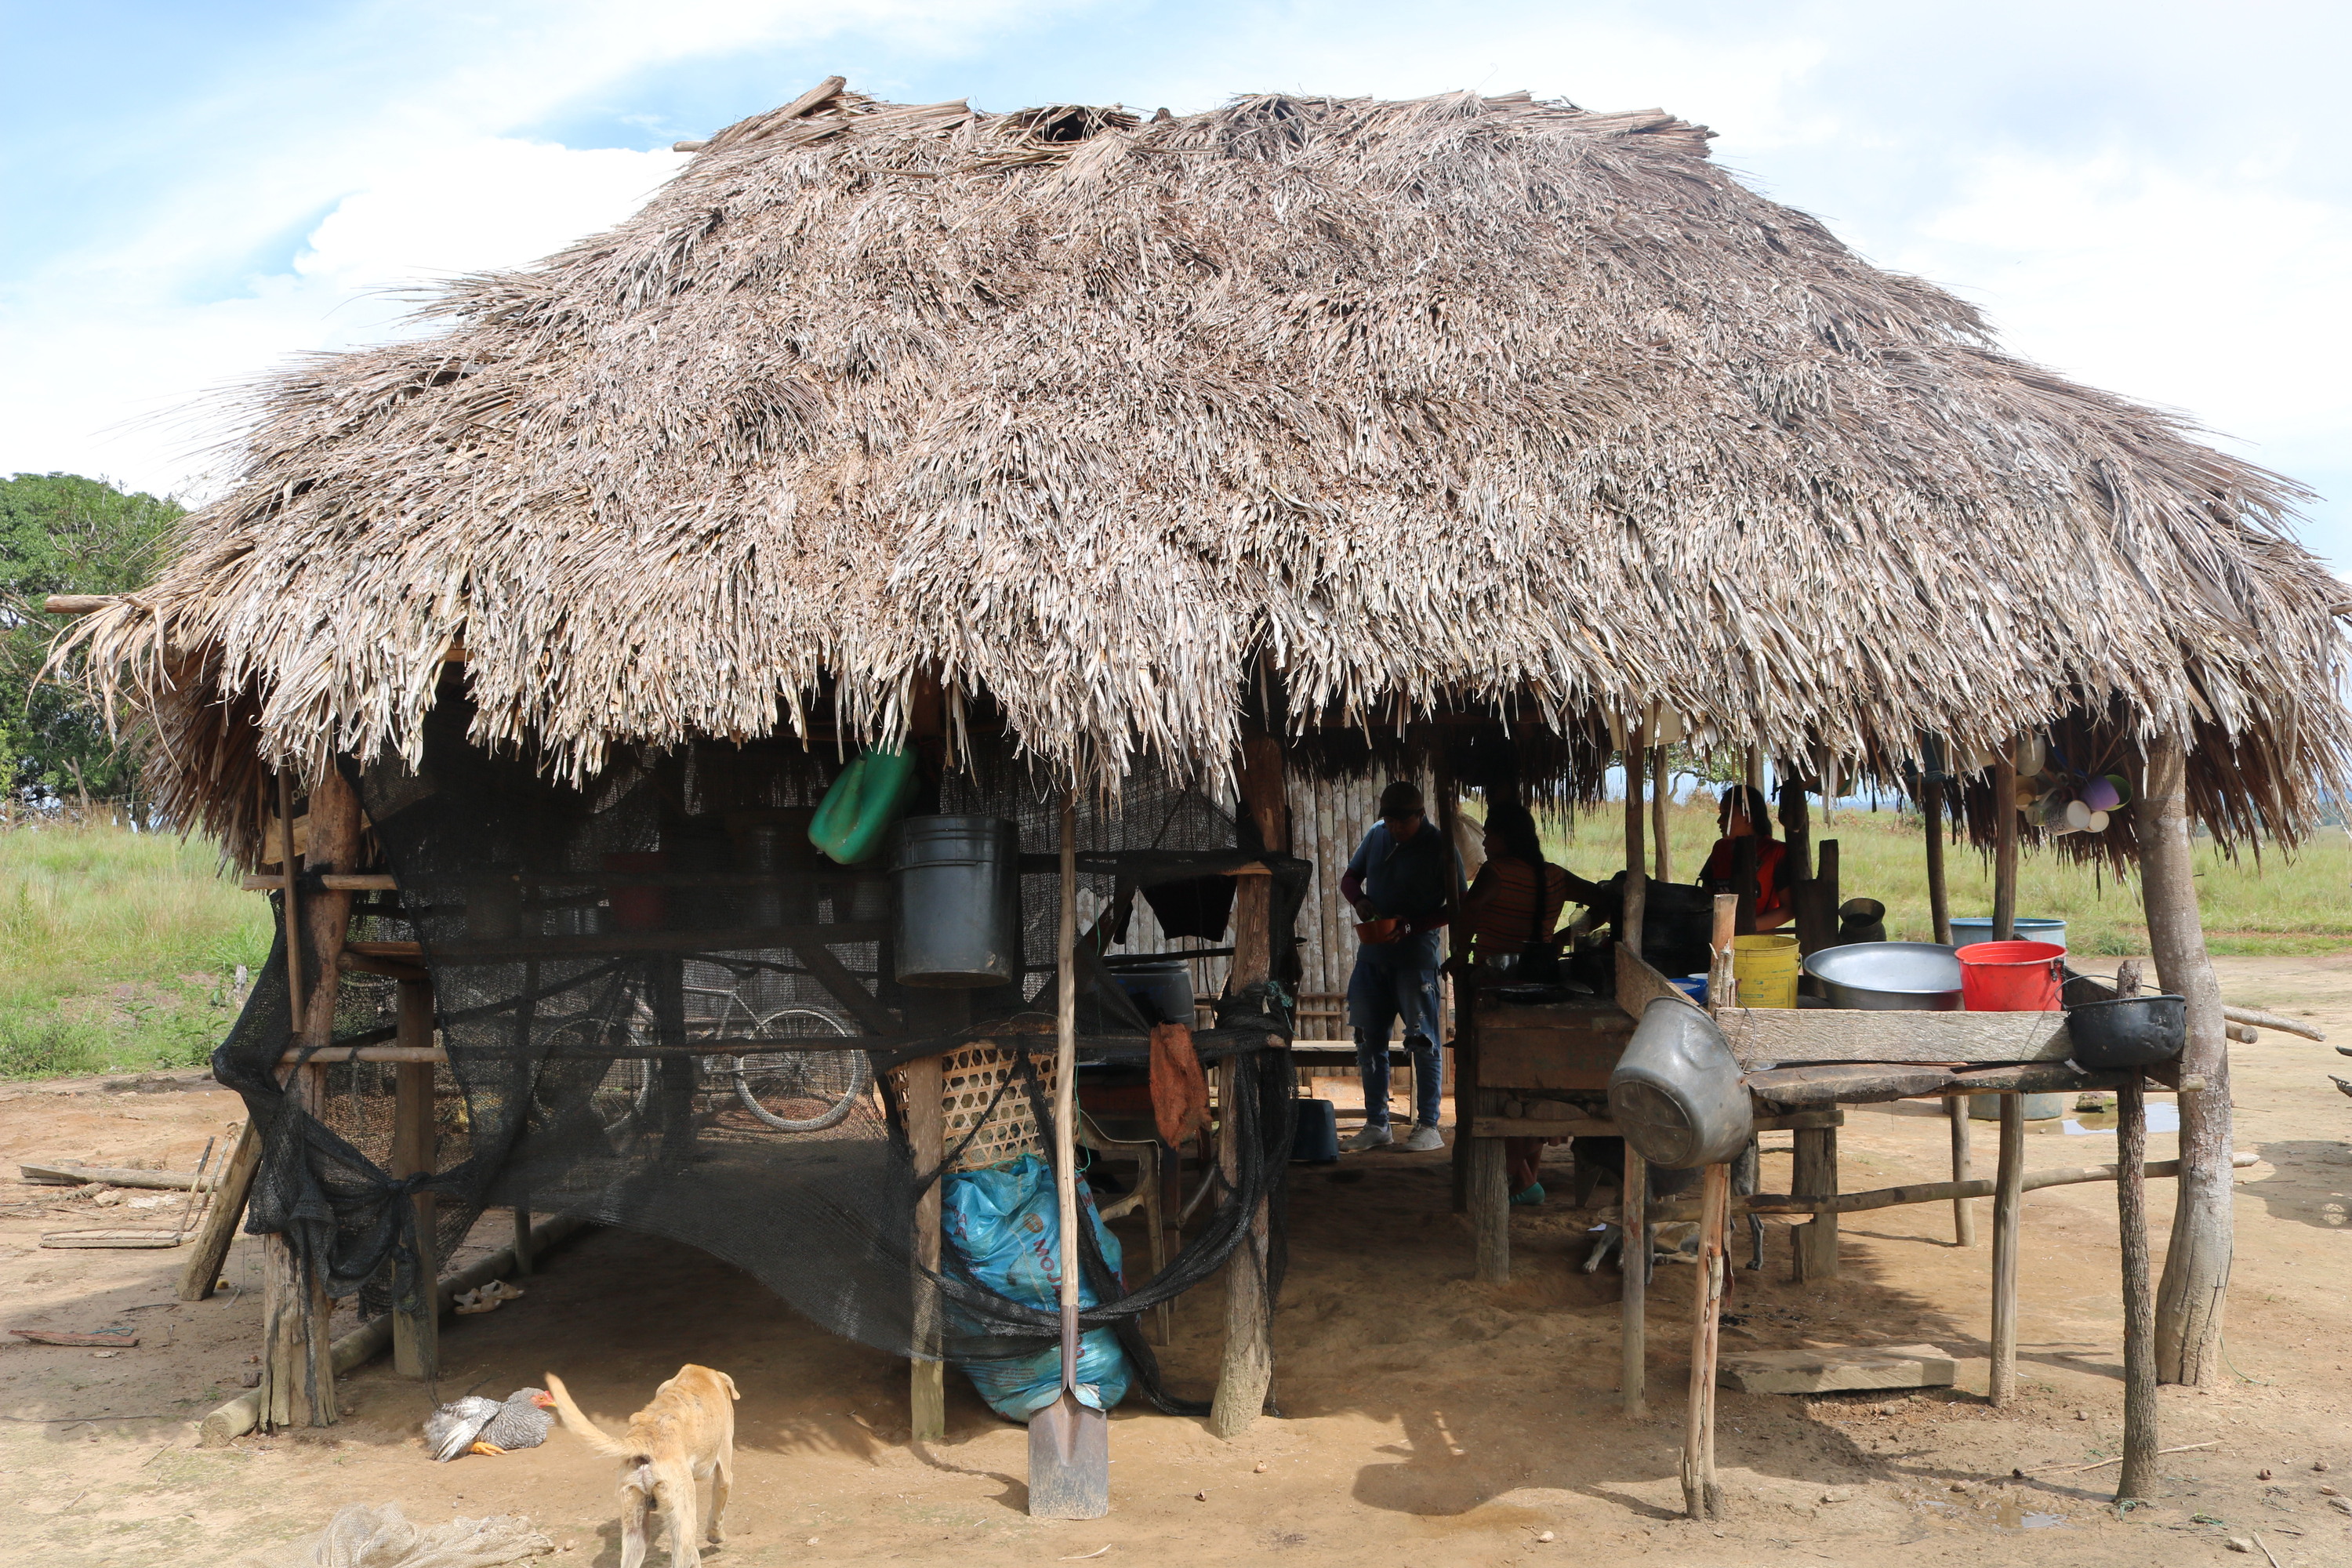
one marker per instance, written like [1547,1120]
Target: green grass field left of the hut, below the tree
[119,951]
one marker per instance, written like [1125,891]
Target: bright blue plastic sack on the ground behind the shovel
[1005,1224]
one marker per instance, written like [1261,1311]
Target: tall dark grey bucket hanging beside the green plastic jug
[958,892]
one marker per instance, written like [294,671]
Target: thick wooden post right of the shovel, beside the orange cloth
[1248,1369]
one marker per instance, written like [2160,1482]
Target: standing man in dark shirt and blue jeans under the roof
[1398,887]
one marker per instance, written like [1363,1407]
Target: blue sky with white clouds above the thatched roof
[2144,196]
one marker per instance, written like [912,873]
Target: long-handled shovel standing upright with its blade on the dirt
[1069,1438]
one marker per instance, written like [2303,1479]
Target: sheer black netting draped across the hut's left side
[648,993]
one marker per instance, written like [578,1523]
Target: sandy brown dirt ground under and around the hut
[1424,1419]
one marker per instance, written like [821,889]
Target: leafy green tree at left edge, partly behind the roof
[65,535]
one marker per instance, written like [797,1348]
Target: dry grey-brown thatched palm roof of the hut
[1455,398]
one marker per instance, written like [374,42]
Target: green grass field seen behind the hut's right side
[2278,904]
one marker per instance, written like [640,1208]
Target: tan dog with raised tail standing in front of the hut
[671,1445]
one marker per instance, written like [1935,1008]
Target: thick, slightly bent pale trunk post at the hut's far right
[2196,1280]
